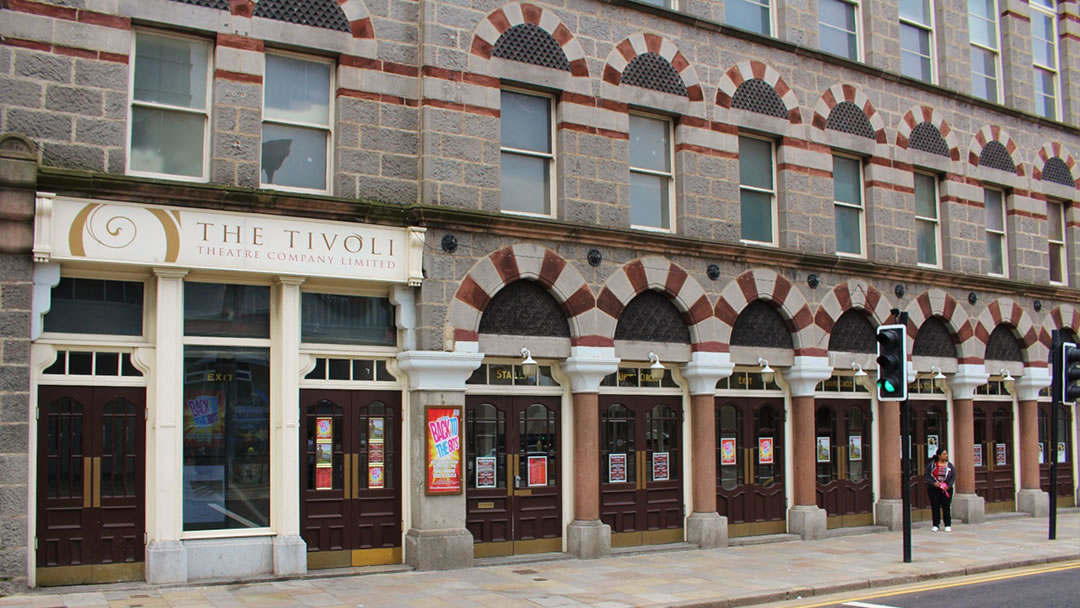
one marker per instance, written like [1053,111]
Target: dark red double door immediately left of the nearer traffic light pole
[843,453]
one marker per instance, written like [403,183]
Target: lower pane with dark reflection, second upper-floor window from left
[294,157]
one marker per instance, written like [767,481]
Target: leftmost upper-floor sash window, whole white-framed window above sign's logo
[170,107]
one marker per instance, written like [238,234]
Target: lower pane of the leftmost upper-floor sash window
[168,142]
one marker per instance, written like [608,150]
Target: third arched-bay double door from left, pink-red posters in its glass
[750,465]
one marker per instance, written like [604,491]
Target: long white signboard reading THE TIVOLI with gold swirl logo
[188,238]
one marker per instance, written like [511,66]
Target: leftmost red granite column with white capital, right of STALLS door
[587,537]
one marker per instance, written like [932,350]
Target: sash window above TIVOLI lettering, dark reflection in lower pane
[296,124]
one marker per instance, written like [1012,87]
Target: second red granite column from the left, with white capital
[706,528]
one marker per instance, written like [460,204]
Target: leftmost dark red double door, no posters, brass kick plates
[91,485]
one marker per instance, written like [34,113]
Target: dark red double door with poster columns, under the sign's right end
[350,478]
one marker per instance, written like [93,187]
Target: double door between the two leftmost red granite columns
[641,469]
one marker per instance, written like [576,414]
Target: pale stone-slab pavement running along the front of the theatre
[723,578]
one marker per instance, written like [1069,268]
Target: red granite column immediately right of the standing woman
[967,505]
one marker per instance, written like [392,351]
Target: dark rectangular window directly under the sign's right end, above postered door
[347,320]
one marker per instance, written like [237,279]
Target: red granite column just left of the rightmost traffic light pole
[1032,499]
